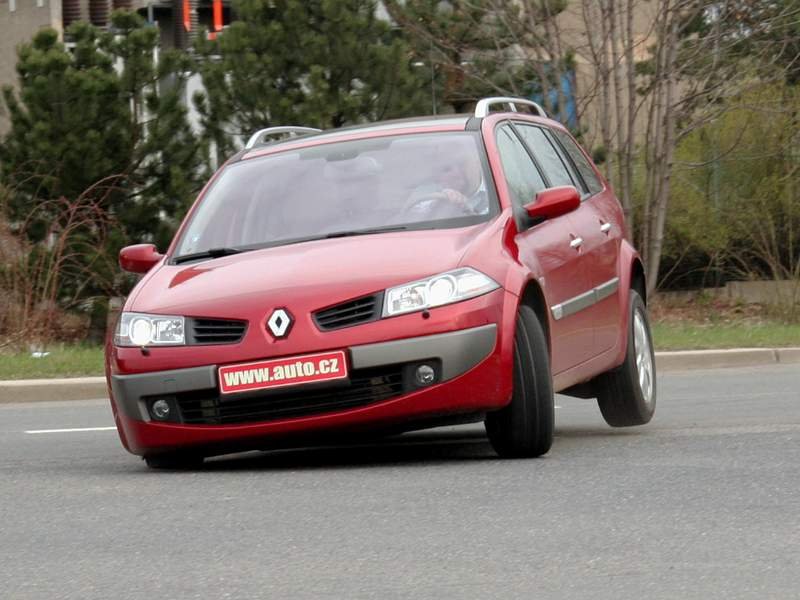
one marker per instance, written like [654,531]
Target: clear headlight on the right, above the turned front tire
[446,288]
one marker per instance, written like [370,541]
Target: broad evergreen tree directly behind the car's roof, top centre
[323,63]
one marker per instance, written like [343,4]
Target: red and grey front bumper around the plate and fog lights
[469,376]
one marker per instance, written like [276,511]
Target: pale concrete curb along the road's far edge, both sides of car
[92,388]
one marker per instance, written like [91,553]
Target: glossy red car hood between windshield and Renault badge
[307,276]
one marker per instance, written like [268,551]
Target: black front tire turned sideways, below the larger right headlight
[524,428]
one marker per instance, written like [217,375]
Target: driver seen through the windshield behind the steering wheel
[456,188]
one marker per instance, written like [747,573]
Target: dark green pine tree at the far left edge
[68,127]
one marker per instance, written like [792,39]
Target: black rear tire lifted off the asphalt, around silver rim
[622,398]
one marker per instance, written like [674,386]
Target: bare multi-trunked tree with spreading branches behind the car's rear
[650,73]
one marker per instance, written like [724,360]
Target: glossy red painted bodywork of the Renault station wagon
[313,275]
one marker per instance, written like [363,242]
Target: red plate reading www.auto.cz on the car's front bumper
[282,372]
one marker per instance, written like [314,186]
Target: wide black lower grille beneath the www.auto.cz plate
[366,386]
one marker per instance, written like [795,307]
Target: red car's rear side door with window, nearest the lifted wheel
[599,222]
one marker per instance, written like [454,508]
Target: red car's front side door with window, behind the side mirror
[545,249]
